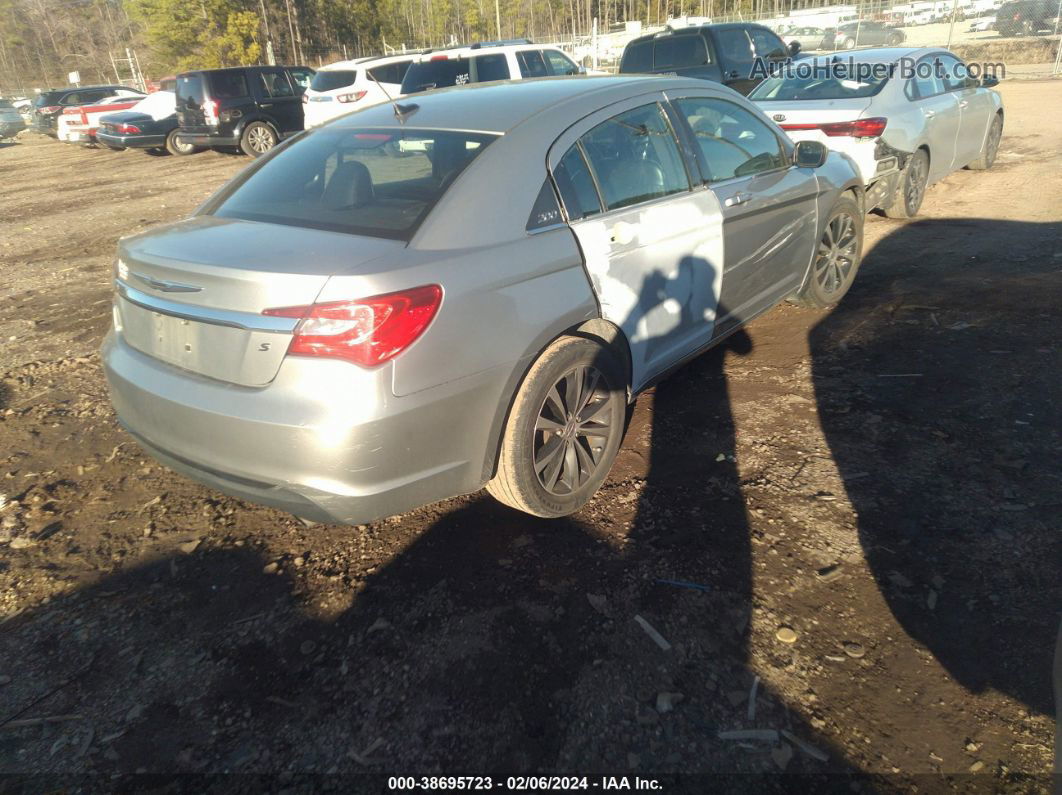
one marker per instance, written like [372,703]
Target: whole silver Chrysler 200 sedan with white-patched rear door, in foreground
[417,301]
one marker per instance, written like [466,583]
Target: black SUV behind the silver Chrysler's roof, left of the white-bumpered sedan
[725,54]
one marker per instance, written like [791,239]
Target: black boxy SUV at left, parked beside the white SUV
[253,108]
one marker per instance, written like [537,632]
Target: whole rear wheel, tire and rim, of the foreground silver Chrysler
[543,430]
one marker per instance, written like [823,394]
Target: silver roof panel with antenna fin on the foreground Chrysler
[503,106]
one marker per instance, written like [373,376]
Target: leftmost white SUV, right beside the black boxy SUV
[351,85]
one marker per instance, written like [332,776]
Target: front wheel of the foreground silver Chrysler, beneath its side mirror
[837,258]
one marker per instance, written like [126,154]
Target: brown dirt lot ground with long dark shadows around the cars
[882,480]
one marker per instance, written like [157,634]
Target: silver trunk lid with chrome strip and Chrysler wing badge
[192,295]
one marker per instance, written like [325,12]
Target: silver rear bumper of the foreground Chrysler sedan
[326,440]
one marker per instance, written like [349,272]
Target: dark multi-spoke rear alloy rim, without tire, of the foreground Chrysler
[573,429]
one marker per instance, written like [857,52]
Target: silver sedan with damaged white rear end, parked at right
[907,117]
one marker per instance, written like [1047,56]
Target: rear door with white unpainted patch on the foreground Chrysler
[653,245]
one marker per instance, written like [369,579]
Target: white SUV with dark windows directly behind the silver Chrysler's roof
[487,61]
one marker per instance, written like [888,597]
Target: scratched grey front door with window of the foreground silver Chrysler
[768,205]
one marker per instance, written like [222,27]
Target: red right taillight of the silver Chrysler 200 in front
[367,332]
